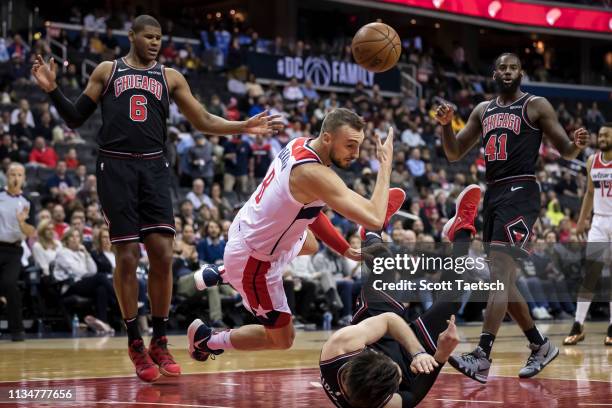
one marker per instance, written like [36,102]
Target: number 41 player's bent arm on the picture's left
[456,146]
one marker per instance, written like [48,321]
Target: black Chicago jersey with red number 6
[135,104]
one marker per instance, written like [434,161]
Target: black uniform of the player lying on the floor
[413,387]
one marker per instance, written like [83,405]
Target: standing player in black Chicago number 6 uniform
[133,174]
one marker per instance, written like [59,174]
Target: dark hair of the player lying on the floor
[370,378]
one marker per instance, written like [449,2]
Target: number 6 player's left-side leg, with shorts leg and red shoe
[117,185]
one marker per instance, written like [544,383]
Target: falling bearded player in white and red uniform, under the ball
[280,221]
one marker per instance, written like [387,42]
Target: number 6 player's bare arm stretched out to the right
[204,121]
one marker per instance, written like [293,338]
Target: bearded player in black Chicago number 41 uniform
[511,127]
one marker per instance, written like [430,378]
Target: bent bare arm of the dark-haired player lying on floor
[369,331]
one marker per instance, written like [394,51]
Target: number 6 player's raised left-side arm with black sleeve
[75,114]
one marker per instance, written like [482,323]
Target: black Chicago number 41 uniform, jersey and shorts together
[512,201]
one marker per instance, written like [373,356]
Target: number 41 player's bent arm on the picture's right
[541,112]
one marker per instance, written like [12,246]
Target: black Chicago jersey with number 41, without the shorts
[511,142]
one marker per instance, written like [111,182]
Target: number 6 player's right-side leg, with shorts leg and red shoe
[157,230]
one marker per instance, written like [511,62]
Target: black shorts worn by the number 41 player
[510,211]
